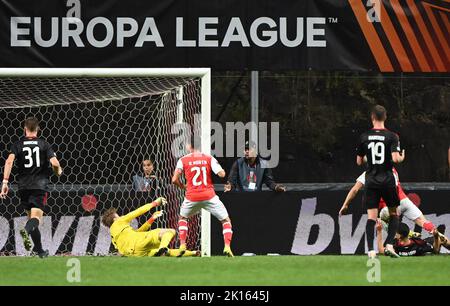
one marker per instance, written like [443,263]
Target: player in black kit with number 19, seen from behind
[381,147]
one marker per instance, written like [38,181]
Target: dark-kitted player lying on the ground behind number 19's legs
[407,246]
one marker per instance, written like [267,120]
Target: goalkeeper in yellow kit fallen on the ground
[141,242]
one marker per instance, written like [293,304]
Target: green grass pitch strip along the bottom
[257,271]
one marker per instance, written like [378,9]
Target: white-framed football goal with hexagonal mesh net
[102,123]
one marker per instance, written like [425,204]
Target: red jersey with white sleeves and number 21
[197,169]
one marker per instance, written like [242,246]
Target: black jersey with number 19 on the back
[377,145]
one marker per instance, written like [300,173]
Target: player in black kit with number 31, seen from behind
[33,156]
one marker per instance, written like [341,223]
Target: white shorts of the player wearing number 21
[214,206]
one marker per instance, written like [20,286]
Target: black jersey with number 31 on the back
[32,160]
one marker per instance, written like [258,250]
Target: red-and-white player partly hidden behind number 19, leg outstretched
[406,208]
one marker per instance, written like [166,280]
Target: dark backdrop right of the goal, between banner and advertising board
[322,114]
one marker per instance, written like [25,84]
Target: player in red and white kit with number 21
[197,167]
